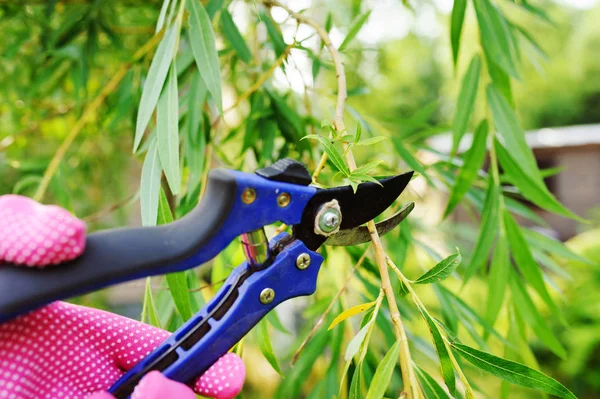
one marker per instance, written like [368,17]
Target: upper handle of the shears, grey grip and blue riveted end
[119,255]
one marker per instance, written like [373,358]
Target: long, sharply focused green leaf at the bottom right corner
[513,372]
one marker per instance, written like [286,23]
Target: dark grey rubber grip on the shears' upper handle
[120,255]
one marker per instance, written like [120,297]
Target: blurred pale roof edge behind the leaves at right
[547,138]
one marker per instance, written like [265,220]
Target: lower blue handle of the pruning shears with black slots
[207,336]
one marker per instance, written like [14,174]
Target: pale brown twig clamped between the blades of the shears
[409,379]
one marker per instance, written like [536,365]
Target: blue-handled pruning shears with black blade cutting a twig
[235,204]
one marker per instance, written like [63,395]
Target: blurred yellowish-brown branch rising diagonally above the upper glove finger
[88,112]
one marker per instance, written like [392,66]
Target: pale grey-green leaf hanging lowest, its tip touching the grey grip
[150,185]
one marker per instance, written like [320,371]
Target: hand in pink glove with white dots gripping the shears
[64,351]
